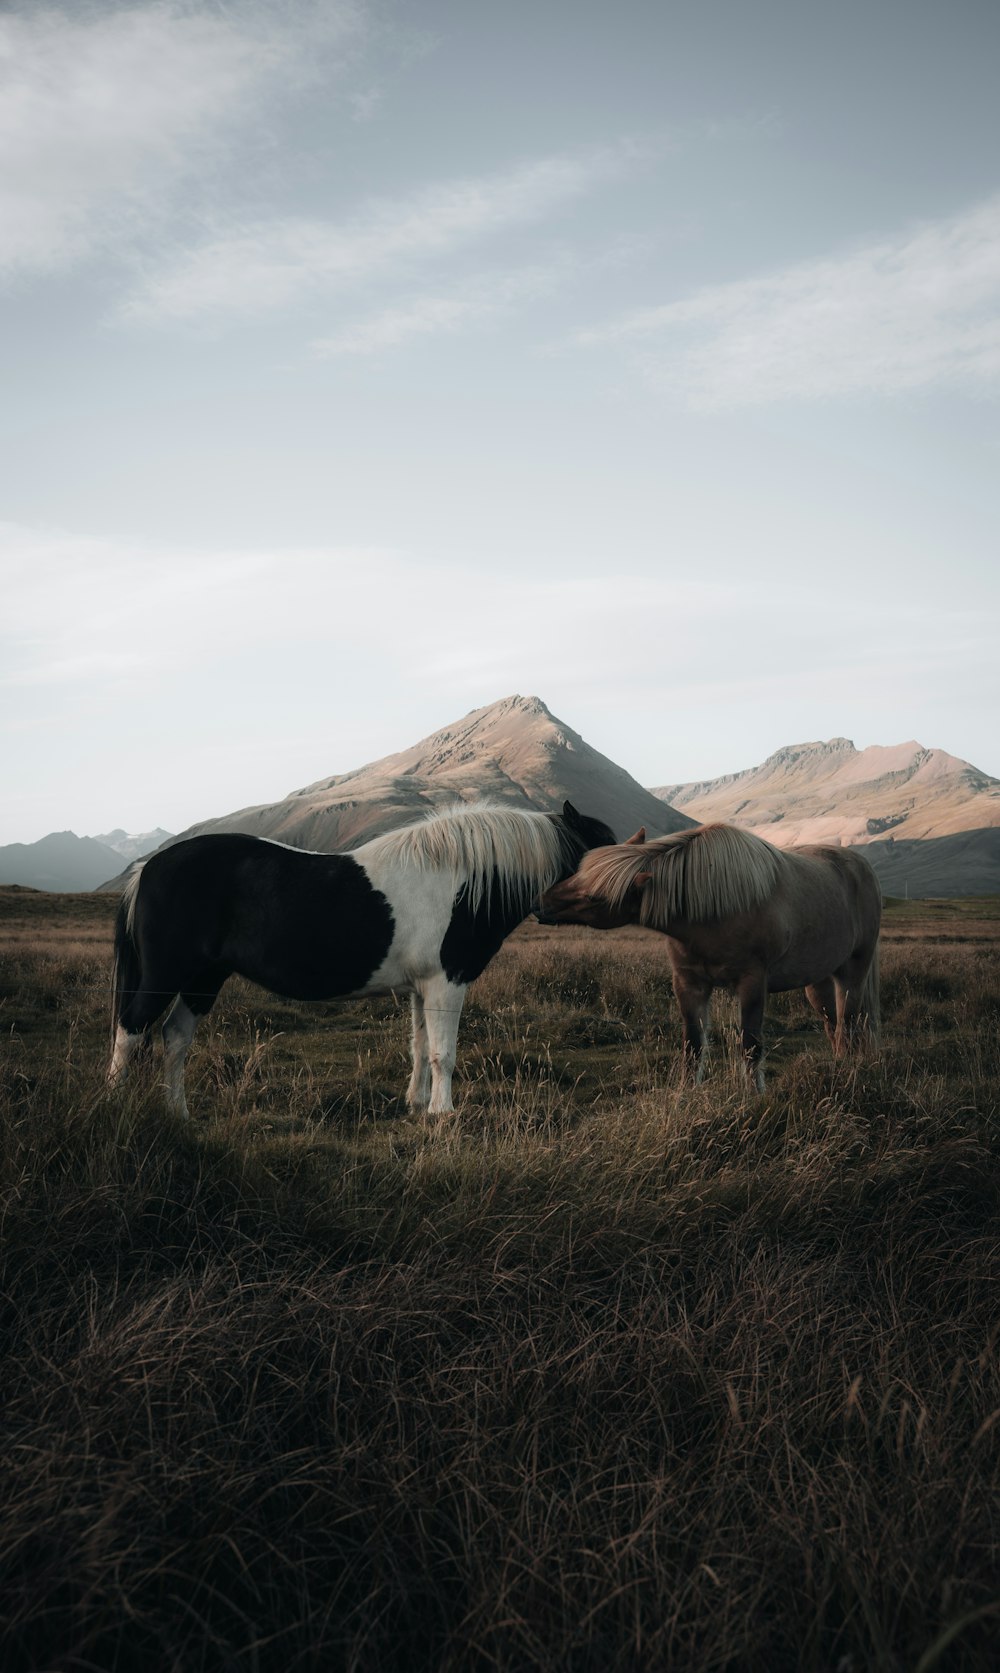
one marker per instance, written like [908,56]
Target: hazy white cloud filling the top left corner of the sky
[108,111]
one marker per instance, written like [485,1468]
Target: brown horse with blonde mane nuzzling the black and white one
[743,916]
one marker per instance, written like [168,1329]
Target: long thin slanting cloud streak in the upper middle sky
[280,262]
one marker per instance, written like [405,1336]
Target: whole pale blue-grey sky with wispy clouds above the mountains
[370,361]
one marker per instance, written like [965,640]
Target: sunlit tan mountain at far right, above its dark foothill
[832,792]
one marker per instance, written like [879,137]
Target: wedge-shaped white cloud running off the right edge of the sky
[907,314]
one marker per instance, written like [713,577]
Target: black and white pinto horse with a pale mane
[419,911]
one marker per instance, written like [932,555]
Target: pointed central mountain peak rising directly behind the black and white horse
[514,752]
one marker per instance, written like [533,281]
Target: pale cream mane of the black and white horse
[479,844]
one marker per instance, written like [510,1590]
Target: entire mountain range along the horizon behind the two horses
[929,822]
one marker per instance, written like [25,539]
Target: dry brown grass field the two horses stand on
[603,1374]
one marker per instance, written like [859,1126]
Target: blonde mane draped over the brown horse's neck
[700,876]
